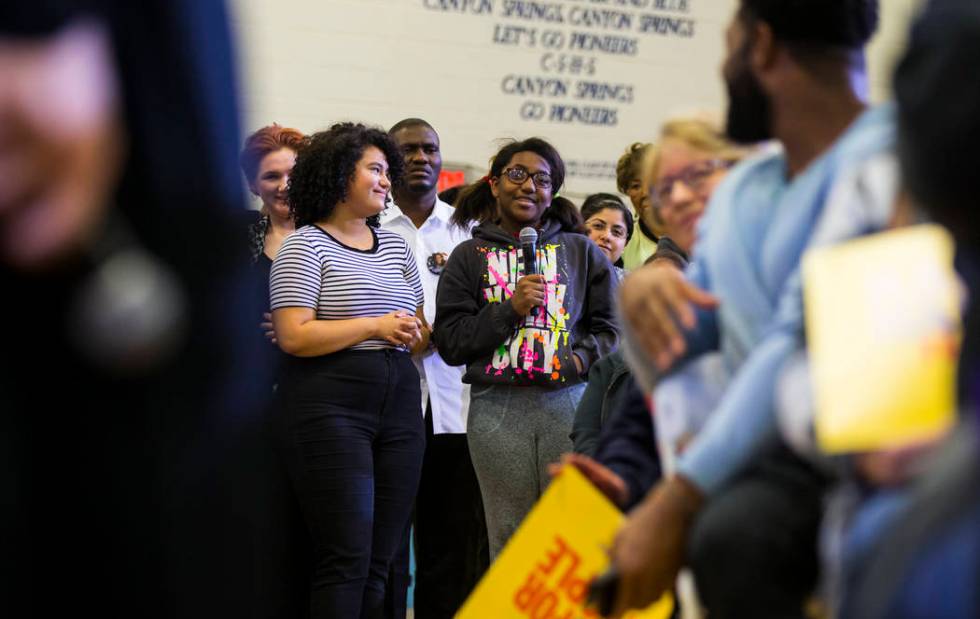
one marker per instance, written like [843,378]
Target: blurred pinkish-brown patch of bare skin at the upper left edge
[61,139]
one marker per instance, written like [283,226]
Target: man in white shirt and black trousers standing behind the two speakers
[450,532]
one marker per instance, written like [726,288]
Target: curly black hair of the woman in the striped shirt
[325,167]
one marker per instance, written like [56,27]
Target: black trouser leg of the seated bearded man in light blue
[753,548]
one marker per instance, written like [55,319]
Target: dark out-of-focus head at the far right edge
[938,98]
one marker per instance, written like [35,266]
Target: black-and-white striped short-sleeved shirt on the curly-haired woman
[316,271]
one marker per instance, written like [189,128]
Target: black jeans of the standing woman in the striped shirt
[350,429]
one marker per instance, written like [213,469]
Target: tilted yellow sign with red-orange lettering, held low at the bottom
[545,569]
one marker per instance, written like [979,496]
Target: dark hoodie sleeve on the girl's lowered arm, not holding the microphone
[602,337]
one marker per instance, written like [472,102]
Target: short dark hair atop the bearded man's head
[816,24]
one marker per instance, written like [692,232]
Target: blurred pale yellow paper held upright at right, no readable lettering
[882,324]
